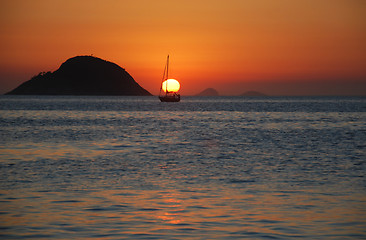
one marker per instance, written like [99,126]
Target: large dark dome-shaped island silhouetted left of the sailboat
[83,75]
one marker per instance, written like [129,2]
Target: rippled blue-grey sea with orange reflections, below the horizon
[203,168]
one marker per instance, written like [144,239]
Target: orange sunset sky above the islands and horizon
[282,47]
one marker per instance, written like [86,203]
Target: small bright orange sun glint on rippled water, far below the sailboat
[173,205]
